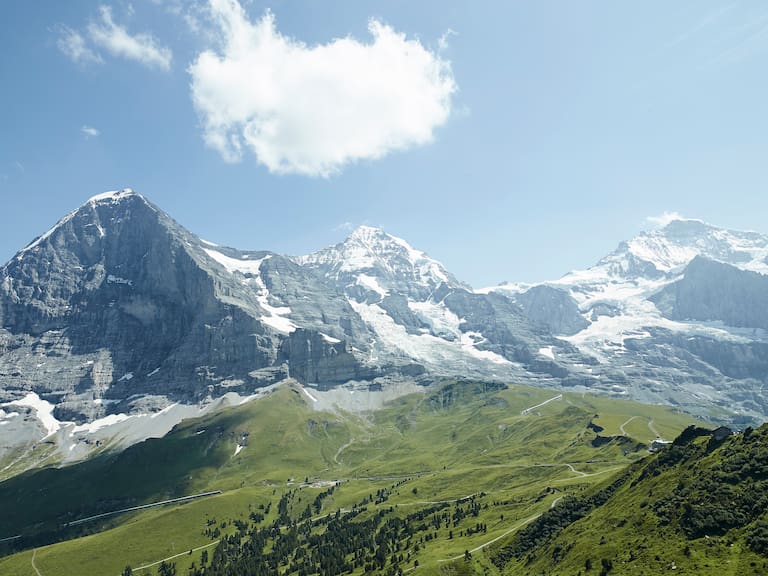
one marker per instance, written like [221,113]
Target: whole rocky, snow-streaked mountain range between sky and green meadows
[119,310]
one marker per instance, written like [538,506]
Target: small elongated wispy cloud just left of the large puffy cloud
[116,40]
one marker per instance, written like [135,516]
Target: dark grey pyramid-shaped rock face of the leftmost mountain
[117,301]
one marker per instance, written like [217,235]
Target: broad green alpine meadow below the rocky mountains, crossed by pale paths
[461,440]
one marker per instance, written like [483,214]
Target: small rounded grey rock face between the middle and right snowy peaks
[552,309]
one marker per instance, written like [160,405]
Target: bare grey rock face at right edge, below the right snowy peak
[714,291]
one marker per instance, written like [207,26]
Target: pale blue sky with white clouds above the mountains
[510,140]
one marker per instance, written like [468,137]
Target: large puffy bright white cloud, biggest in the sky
[314,109]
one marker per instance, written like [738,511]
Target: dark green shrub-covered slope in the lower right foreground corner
[699,507]
